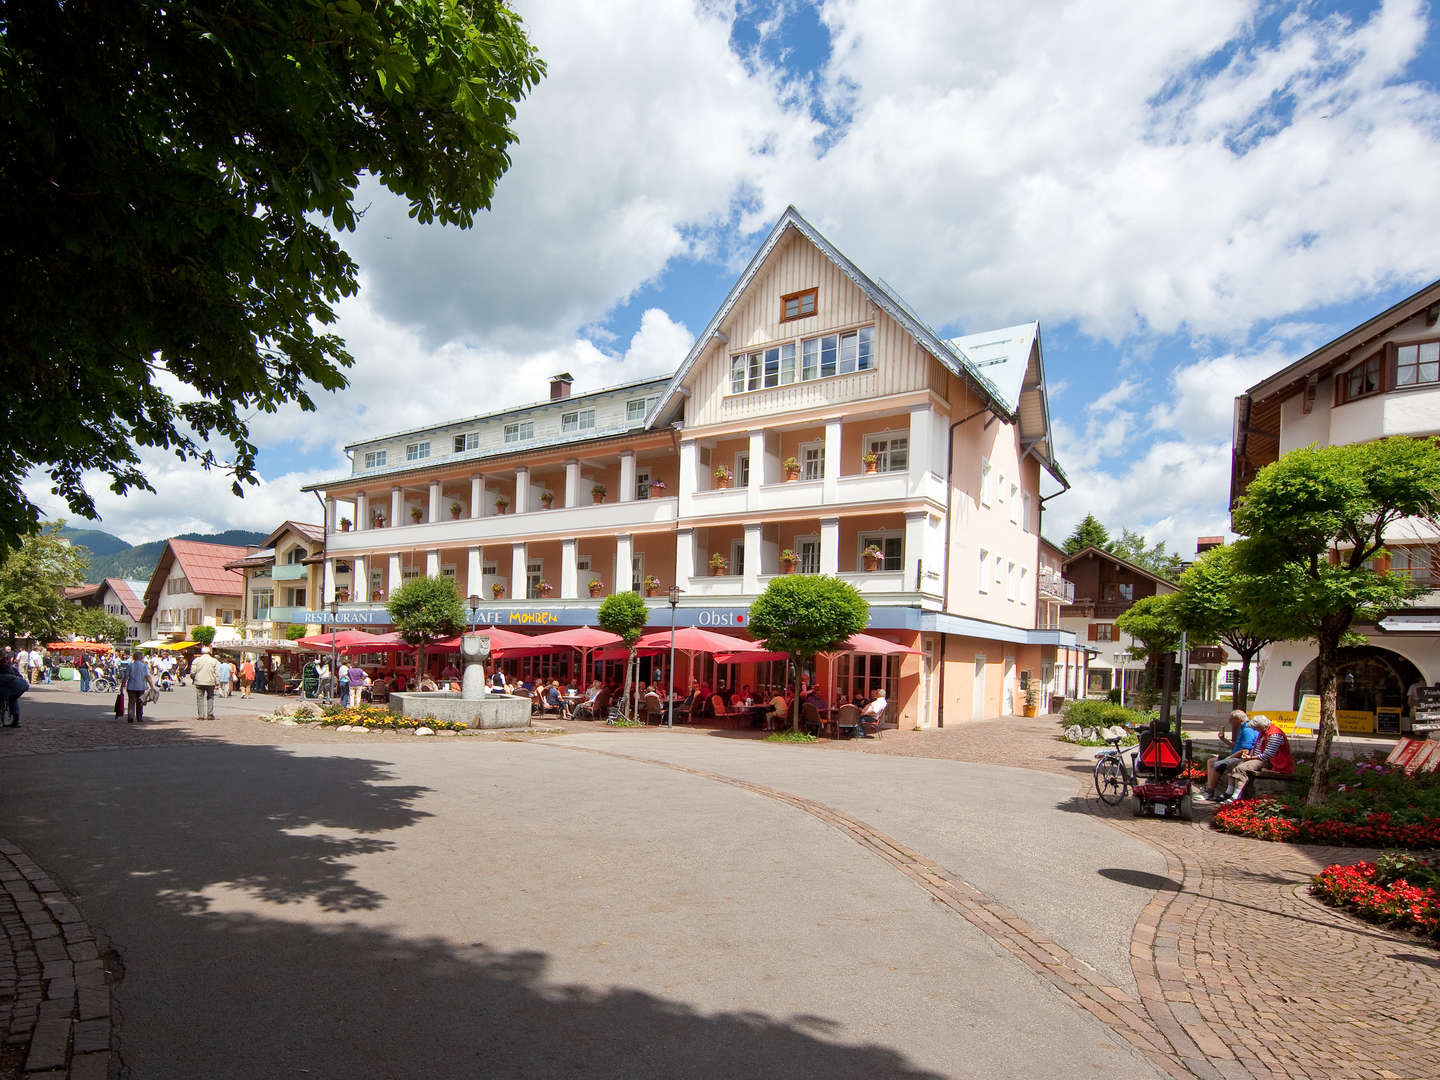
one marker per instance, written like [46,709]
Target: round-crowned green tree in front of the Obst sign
[807,614]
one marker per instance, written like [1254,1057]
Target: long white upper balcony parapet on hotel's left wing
[620,518]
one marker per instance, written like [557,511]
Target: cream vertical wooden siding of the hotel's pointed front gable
[755,323]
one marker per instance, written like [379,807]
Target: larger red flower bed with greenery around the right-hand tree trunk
[1370,806]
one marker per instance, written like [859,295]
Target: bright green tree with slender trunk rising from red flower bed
[1315,519]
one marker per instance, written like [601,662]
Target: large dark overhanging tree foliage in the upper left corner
[176,174]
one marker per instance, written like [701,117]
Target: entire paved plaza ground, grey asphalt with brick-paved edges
[238,899]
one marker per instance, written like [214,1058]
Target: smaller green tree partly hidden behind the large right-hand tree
[1210,607]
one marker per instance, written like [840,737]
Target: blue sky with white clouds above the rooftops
[1187,197]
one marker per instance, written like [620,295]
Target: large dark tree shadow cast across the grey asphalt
[179,855]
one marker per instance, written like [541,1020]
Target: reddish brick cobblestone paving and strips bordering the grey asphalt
[1241,973]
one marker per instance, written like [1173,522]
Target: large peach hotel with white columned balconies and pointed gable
[817,426]
